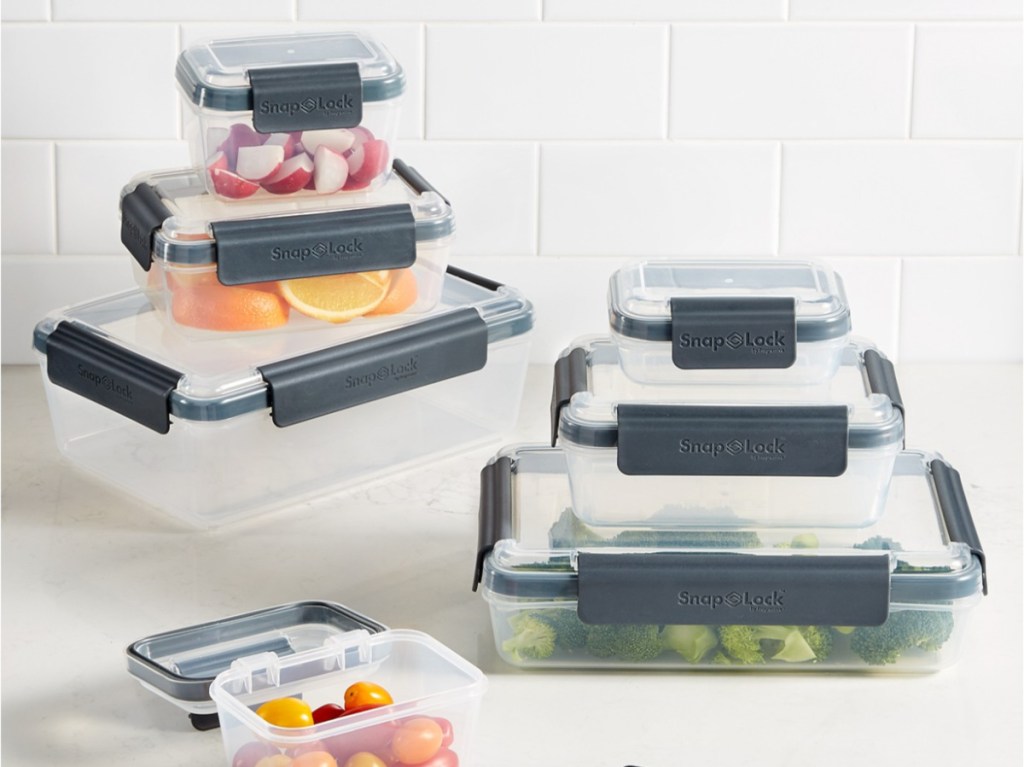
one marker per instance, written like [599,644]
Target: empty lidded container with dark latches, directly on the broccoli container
[730,456]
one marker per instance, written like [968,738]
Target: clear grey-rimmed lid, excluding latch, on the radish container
[220,75]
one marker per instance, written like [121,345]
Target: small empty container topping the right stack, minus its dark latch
[639,307]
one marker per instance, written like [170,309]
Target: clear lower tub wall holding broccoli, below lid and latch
[916,638]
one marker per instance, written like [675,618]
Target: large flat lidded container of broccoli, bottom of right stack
[894,598]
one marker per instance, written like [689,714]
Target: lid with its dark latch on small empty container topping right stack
[659,301]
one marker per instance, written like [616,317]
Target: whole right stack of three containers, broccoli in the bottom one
[730,490]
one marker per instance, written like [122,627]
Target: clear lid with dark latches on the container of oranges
[170,216]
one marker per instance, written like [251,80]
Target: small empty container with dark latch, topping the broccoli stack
[729,322]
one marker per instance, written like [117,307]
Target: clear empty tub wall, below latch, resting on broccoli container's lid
[604,496]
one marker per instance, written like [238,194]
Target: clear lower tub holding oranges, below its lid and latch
[194,303]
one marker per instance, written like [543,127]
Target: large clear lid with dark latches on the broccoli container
[533,547]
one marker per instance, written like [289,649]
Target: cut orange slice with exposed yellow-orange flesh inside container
[335,299]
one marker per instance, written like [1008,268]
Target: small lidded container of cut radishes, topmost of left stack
[311,114]
